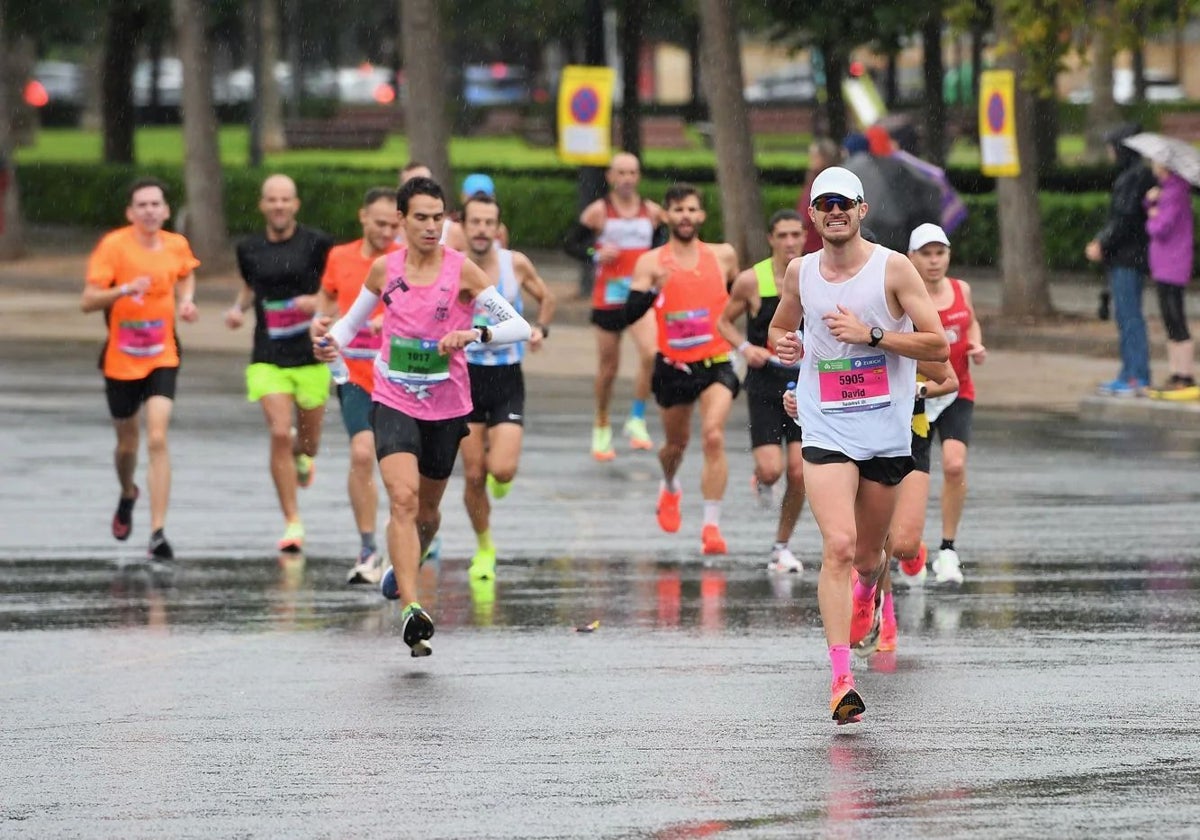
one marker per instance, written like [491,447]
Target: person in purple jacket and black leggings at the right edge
[1171,224]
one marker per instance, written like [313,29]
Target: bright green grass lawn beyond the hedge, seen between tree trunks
[164,145]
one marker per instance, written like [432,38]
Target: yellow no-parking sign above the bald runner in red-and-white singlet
[585,116]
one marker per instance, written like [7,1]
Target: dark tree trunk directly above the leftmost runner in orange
[123,31]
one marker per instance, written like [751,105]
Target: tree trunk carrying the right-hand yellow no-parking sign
[1027,295]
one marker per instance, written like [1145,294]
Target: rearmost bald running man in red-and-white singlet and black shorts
[622,227]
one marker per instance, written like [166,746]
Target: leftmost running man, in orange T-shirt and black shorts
[139,275]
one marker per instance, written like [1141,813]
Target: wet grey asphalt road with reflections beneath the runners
[232,694]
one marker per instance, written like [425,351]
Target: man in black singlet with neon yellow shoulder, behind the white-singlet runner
[775,437]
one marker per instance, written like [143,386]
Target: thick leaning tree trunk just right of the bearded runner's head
[736,175]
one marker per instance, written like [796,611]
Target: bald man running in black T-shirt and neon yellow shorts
[283,269]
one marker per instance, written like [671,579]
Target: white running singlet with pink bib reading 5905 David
[854,399]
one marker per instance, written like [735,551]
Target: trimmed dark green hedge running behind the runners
[538,209]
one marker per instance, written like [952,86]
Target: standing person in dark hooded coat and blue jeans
[1123,247]
